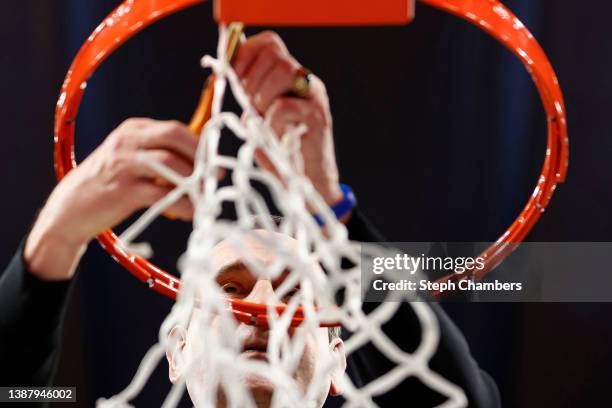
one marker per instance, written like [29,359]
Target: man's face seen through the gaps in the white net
[237,281]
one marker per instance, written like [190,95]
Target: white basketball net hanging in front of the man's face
[225,366]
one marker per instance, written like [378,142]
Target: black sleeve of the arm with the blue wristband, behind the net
[452,360]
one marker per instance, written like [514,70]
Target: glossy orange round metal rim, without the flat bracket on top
[491,16]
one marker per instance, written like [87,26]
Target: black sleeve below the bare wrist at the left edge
[31,313]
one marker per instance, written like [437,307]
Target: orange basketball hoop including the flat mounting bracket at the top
[491,16]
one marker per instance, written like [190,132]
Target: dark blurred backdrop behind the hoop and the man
[438,129]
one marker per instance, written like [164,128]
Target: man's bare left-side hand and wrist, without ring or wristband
[105,189]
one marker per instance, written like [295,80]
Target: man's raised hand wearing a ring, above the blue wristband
[268,71]
